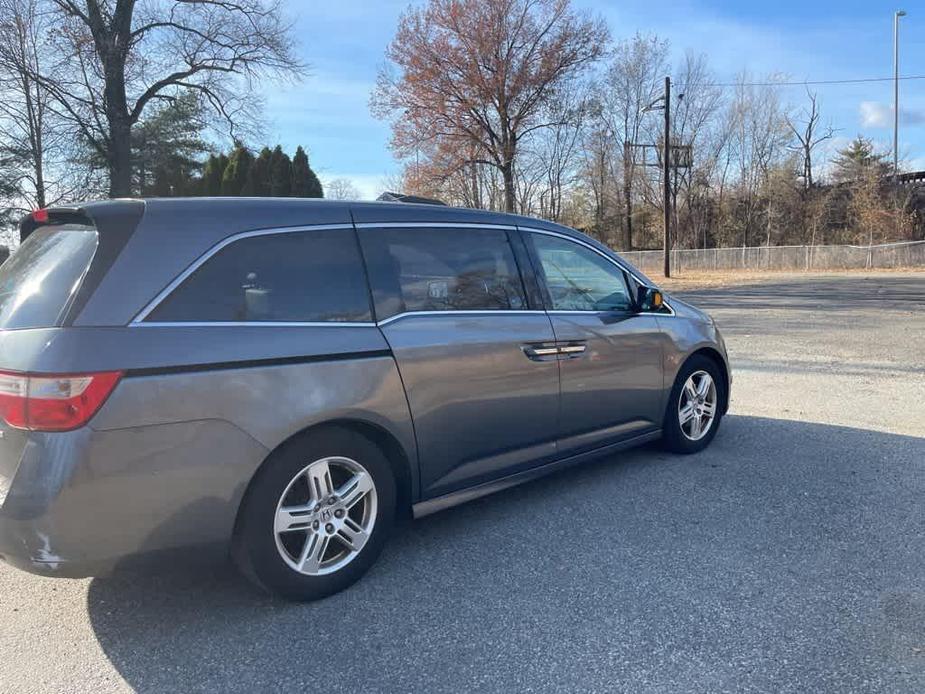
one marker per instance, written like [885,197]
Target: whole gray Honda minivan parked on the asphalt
[286,377]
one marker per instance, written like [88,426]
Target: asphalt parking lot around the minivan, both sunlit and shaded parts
[788,557]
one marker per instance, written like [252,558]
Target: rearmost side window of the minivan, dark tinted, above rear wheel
[300,276]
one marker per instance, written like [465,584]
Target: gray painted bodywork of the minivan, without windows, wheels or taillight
[202,406]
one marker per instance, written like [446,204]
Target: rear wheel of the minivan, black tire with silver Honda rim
[316,515]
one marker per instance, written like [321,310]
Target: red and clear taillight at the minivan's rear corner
[53,403]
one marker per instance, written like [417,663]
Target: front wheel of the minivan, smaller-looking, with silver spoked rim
[698,390]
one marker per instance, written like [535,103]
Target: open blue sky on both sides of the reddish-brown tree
[344,41]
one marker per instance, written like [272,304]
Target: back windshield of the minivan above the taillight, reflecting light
[39,281]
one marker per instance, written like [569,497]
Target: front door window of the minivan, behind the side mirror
[578,279]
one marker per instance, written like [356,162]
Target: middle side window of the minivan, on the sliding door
[442,269]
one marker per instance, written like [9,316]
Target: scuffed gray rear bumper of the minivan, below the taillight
[82,502]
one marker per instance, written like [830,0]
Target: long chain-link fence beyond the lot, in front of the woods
[792,258]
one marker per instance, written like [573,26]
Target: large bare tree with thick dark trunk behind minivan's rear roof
[118,56]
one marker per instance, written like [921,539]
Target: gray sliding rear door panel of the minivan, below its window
[480,405]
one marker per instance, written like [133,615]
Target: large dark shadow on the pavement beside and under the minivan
[788,552]
